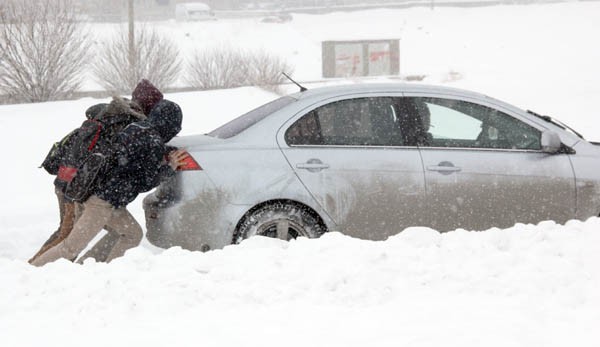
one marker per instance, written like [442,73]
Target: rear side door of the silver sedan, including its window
[352,157]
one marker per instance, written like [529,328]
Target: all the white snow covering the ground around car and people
[524,286]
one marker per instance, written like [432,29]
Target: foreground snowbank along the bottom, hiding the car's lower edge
[525,286]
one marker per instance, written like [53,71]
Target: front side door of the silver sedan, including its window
[485,168]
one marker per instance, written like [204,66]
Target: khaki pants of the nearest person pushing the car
[97,214]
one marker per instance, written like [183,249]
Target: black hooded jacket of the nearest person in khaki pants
[138,162]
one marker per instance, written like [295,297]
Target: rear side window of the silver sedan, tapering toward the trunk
[352,122]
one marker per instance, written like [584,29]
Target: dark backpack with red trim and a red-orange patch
[89,147]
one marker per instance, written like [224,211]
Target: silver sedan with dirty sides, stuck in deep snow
[370,160]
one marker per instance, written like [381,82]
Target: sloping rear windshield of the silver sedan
[247,120]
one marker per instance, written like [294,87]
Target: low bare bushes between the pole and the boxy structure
[226,67]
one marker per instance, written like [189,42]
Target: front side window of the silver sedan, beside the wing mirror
[458,123]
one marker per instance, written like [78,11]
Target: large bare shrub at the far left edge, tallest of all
[43,49]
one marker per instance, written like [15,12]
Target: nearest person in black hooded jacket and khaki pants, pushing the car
[137,164]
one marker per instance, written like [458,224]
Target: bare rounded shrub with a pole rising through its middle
[155,57]
